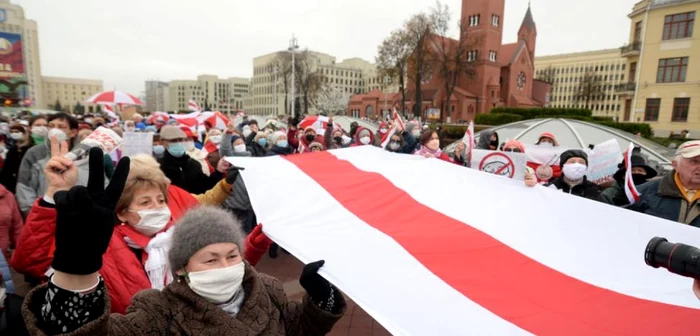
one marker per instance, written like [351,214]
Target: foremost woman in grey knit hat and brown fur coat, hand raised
[216,291]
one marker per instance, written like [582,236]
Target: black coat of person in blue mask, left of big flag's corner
[186,173]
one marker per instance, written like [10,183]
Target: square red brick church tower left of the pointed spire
[484,20]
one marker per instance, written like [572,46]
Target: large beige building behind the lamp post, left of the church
[352,76]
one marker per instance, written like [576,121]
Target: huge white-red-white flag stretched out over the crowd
[478,255]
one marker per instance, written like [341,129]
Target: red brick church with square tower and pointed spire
[504,72]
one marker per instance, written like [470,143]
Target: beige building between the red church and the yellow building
[585,78]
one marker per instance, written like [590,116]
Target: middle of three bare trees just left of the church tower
[418,30]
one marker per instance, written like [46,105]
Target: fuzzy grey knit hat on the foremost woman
[200,227]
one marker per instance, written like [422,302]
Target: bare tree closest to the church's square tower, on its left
[449,56]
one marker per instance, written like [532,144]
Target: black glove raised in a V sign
[86,217]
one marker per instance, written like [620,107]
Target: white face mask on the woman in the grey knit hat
[217,285]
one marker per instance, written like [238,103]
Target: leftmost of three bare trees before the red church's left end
[392,61]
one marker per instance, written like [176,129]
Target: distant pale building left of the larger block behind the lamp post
[219,94]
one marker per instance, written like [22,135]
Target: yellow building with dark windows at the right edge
[663,61]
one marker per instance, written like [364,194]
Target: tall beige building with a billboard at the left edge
[13,23]
